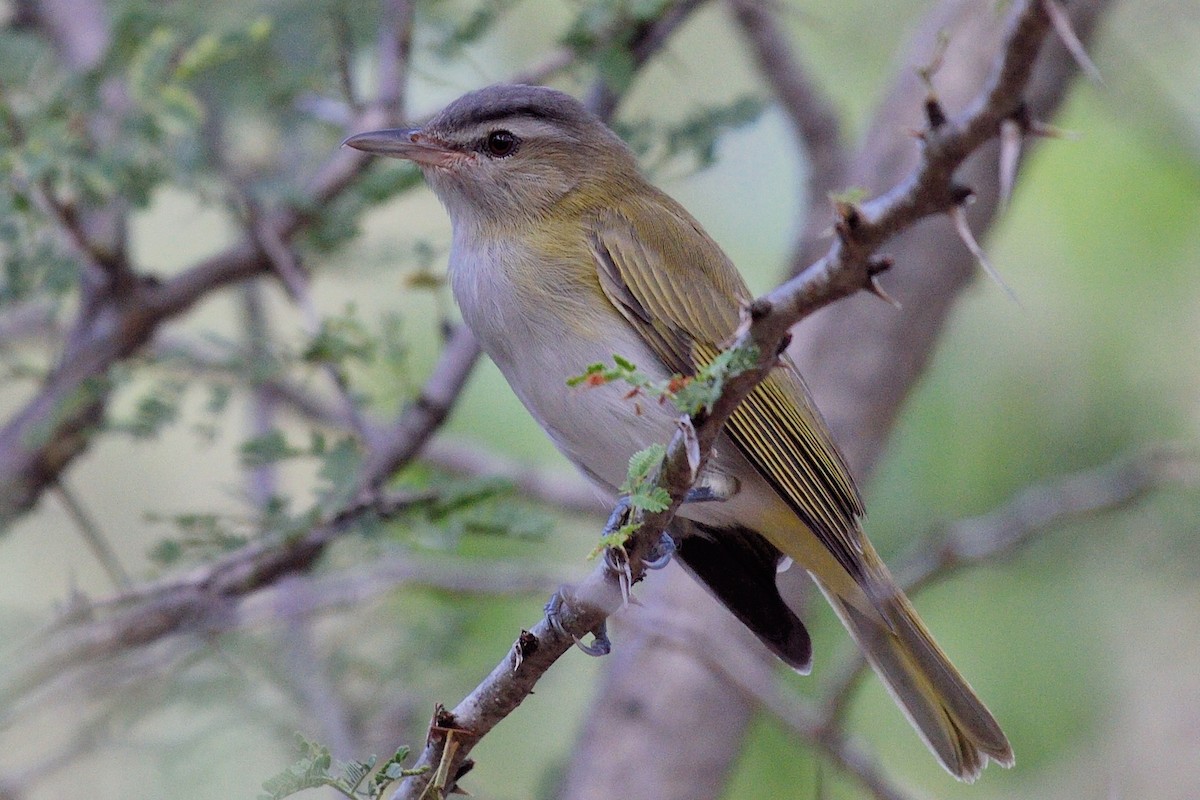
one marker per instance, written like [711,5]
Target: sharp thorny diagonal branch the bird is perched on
[850,267]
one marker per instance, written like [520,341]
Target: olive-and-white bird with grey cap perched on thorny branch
[565,255]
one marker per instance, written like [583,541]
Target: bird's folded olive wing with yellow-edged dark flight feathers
[676,287]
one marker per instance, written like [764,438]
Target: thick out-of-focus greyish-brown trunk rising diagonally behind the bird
[861,360]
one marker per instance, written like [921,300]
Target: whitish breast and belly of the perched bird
[539,346]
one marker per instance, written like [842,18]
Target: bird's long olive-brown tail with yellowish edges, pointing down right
[939,702]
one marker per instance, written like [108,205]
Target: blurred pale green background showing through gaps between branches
[1085,643]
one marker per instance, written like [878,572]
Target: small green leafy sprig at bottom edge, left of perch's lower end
[317,768]
